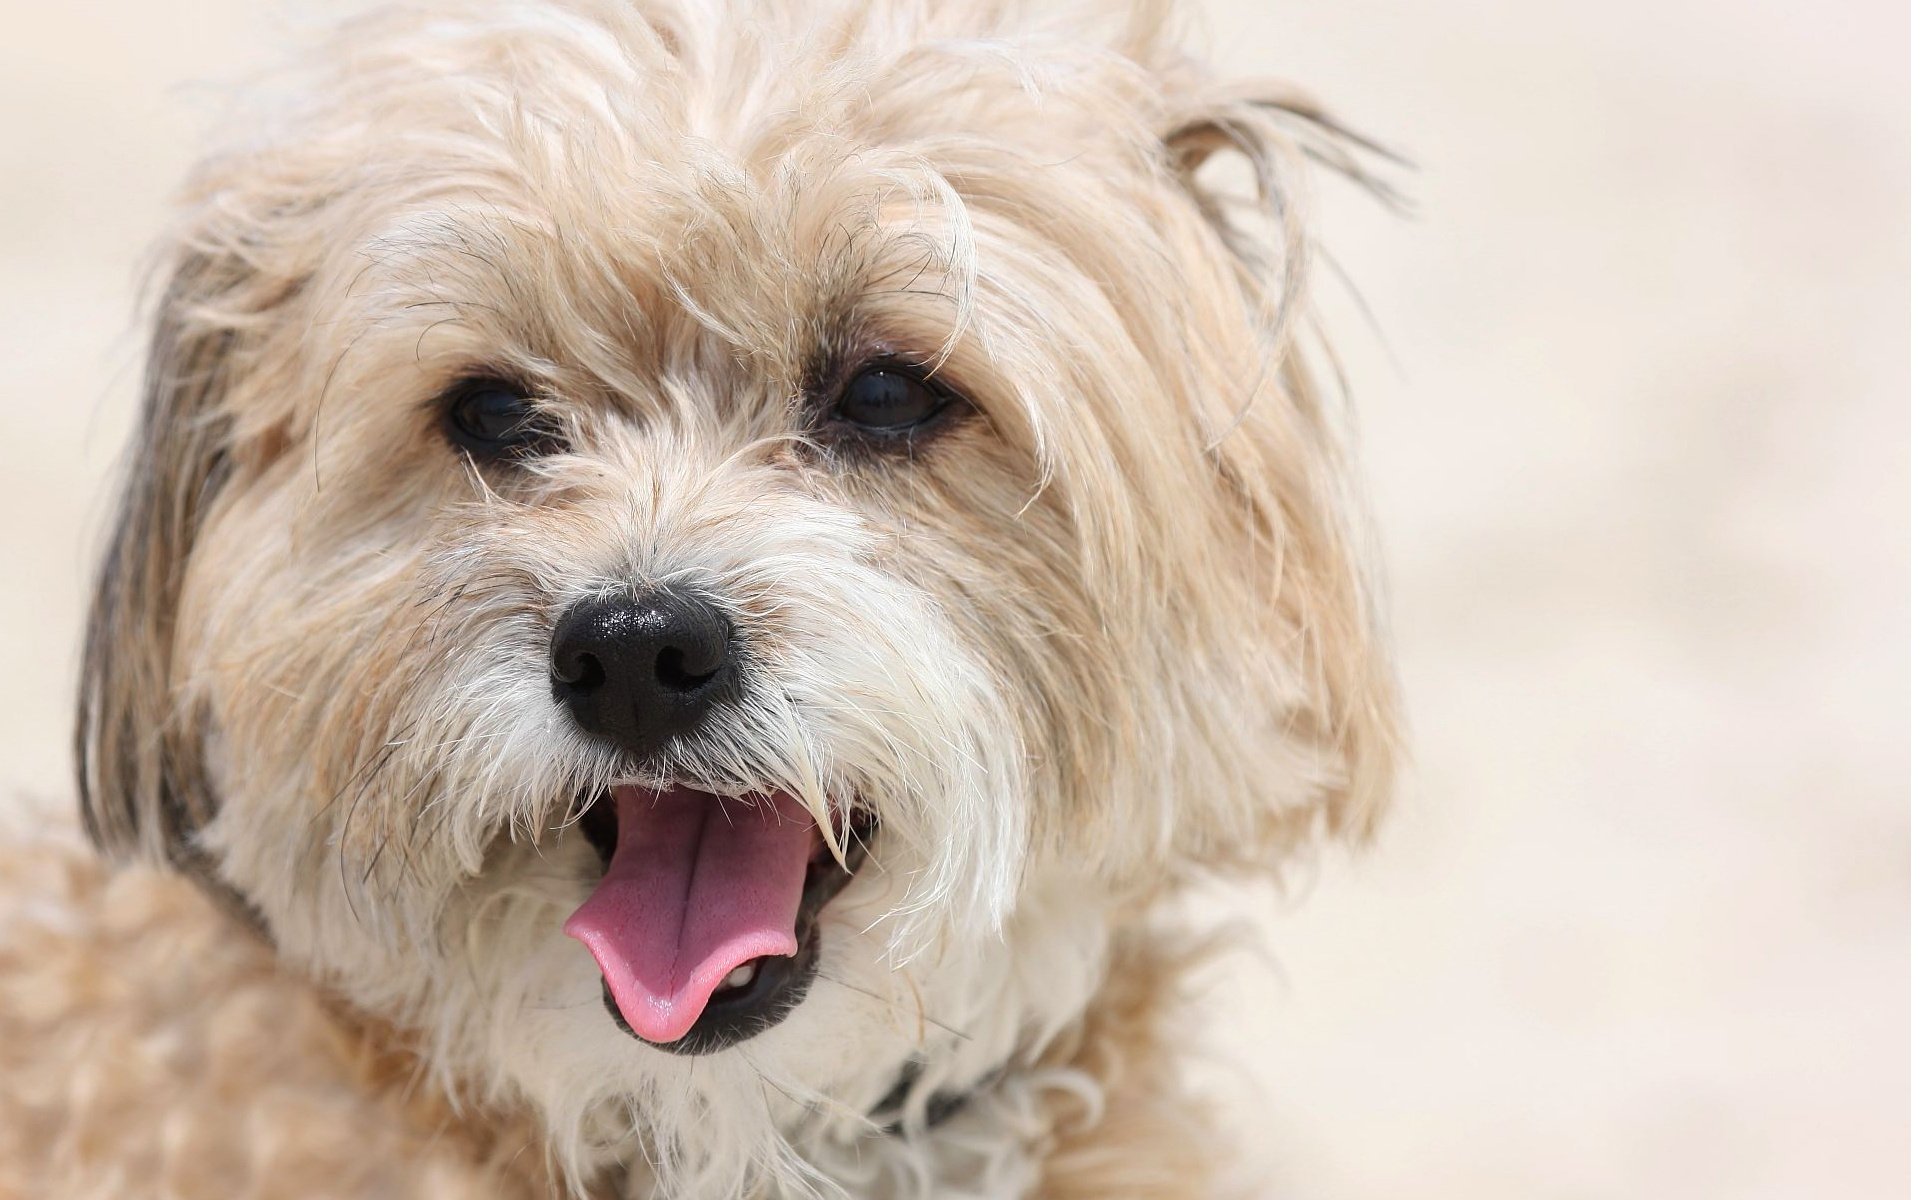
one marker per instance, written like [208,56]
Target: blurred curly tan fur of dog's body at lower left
[153,1047]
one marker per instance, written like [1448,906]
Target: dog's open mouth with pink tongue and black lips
[706,923]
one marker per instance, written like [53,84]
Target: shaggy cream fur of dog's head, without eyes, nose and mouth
[1101,627]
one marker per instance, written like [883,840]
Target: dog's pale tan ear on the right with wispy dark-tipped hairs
[1284,454]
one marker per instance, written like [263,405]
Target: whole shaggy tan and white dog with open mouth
[698,583]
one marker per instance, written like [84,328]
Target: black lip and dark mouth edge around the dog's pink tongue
[759,994]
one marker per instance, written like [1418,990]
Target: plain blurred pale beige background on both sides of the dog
[1639,443]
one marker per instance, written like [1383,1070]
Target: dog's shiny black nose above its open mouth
[638,671]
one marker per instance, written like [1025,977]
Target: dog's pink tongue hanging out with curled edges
[696,888]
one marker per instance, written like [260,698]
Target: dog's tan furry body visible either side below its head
[153,1049]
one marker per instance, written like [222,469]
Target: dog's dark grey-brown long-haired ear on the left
[139,757]
